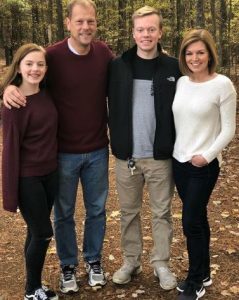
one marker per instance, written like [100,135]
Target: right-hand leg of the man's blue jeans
[95,183]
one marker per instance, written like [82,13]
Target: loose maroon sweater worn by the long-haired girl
[29,144]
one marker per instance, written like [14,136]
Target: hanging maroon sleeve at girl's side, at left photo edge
[10,159]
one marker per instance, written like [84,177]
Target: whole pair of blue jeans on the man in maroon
[92,170]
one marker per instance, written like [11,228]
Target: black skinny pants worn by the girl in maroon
[36,198]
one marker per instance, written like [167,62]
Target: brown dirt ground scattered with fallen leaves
[224,219]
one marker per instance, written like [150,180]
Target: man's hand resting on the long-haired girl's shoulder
[13,97]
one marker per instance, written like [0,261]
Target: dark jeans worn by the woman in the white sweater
[195,185]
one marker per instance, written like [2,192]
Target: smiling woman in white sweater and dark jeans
[204,113]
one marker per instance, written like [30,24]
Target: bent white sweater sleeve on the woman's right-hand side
[227,122]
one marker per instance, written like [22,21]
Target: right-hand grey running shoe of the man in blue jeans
[96,274]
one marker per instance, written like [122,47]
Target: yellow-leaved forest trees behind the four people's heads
[42,21]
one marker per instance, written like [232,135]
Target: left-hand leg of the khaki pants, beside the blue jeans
[130,190]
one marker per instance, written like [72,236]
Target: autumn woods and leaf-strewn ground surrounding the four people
[23,21]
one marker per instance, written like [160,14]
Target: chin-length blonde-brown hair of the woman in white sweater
[193,36]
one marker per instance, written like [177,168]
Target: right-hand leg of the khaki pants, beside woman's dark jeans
[159,179]
